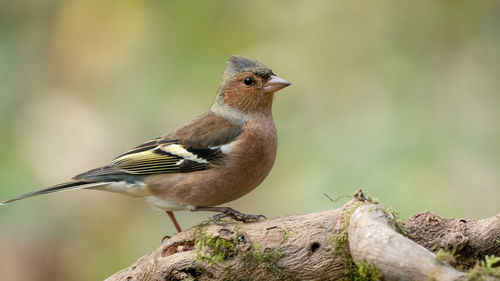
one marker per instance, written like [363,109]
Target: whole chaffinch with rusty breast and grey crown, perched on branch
[216,158]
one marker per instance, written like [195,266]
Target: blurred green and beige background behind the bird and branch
[399,98]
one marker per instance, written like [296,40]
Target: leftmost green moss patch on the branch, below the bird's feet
[213,249]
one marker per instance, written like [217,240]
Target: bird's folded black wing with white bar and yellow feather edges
[162,155]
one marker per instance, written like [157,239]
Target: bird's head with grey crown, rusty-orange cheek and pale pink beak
[248,85]
